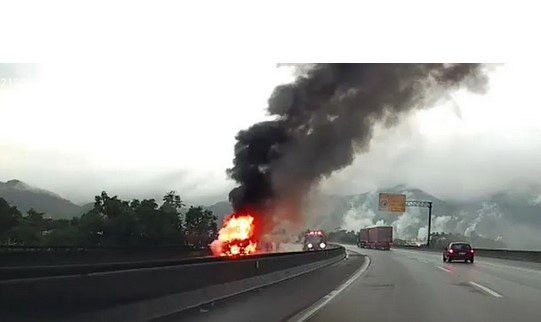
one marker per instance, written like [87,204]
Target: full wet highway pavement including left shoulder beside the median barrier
[398,285]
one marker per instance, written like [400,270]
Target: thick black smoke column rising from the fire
[324,118]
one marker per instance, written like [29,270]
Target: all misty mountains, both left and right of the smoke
[513,217]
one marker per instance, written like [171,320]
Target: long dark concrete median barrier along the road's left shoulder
[150,292]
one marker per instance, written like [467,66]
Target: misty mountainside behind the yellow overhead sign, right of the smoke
[513,217]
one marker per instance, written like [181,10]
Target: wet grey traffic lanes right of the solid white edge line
[409,285]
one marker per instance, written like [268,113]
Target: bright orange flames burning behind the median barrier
[236,238]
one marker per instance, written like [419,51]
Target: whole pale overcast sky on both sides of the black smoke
[144,129]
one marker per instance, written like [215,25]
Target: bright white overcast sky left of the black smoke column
[131,129]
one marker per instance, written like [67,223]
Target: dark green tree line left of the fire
[112,222]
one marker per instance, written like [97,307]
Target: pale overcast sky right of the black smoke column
[468,147]
